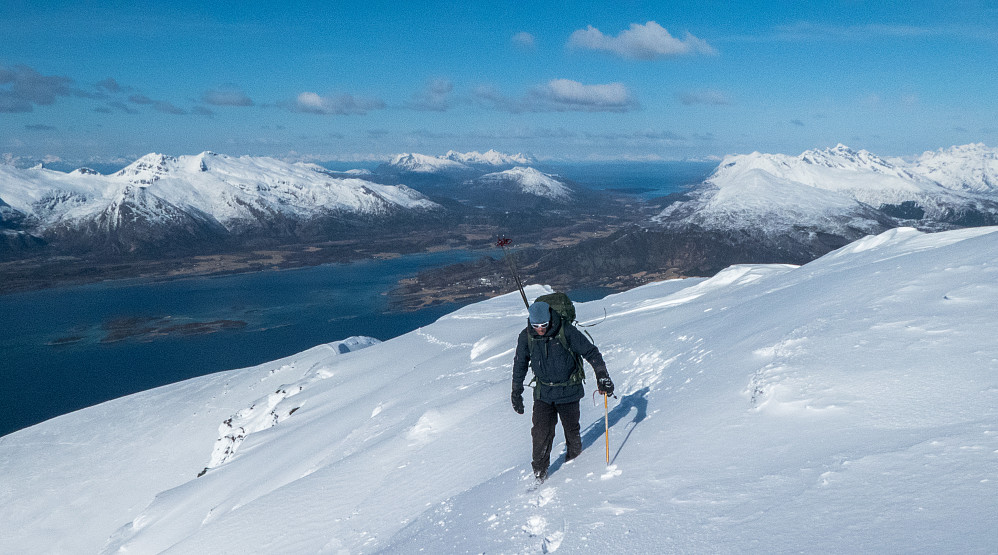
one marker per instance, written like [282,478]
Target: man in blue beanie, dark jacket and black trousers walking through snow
[559,375]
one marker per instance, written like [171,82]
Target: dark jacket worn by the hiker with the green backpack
[551,363]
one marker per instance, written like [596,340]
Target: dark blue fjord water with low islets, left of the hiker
[57,357]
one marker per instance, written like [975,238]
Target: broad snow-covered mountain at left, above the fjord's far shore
[203,195]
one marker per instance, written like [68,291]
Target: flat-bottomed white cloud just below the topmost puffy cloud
[563,95]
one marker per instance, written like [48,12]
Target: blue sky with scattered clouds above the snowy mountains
[571,80]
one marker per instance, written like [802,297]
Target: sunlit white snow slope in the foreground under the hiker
[849,405]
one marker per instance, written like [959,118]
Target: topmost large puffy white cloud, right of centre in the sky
[642,42]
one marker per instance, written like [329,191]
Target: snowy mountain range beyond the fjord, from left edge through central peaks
[164,205]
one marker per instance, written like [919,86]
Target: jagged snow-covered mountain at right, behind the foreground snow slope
[842,192]
